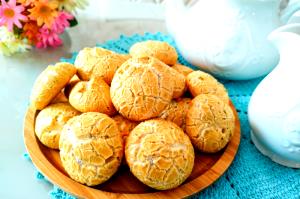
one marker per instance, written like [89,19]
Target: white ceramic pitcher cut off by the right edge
[274,108]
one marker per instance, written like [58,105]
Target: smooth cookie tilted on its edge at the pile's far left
[49,83]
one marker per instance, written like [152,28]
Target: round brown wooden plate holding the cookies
[208,168]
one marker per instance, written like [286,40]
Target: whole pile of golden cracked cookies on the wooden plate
[144,105]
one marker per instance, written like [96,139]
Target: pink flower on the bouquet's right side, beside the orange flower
[61,22]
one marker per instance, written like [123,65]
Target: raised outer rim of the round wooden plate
[82,191]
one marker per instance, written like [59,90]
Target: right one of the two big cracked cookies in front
[159,154]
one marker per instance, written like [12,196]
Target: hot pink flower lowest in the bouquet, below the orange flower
[47,38]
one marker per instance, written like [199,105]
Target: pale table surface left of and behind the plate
[17,74]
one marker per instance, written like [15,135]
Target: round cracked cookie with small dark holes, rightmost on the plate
[210,123]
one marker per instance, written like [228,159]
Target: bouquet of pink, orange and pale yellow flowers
[35,23]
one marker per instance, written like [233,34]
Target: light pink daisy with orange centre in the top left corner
[10,14]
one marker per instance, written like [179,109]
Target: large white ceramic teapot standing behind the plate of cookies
[228,38]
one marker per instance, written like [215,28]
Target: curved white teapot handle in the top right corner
[290,14]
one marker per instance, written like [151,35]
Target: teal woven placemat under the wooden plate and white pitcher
[251,174]
